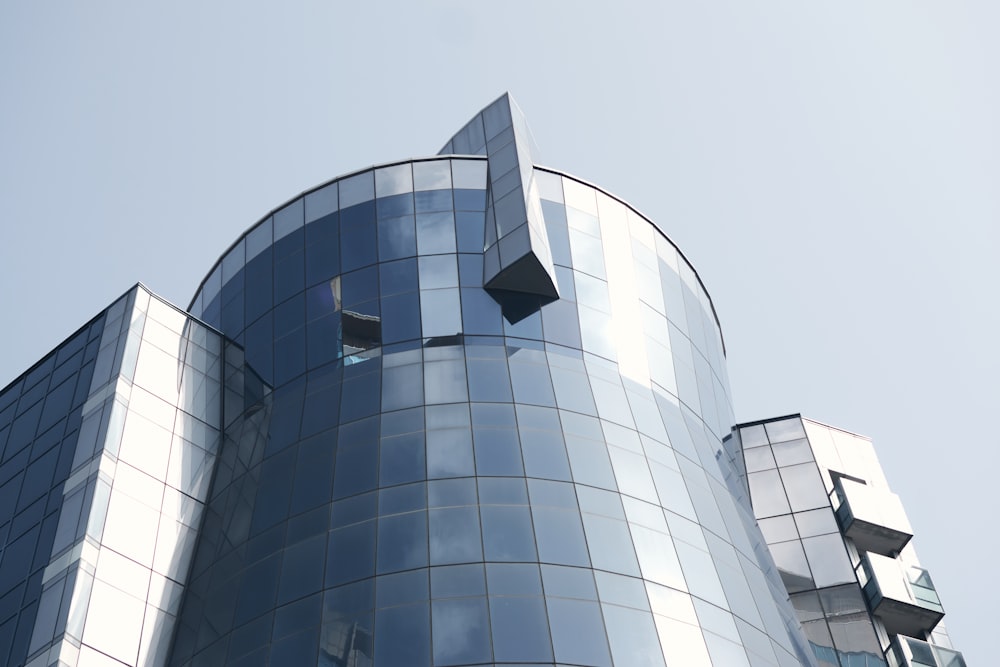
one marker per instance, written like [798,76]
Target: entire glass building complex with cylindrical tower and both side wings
[461,410]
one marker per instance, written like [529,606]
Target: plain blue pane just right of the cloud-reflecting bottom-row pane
[520,630]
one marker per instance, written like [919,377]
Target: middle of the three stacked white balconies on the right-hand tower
[903,597]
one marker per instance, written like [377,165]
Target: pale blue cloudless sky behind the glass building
[831,169]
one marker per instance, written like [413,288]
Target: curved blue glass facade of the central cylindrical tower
[423,482]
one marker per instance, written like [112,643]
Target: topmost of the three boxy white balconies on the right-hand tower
[872,517]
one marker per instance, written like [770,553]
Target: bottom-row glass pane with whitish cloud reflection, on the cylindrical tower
[461,631]
